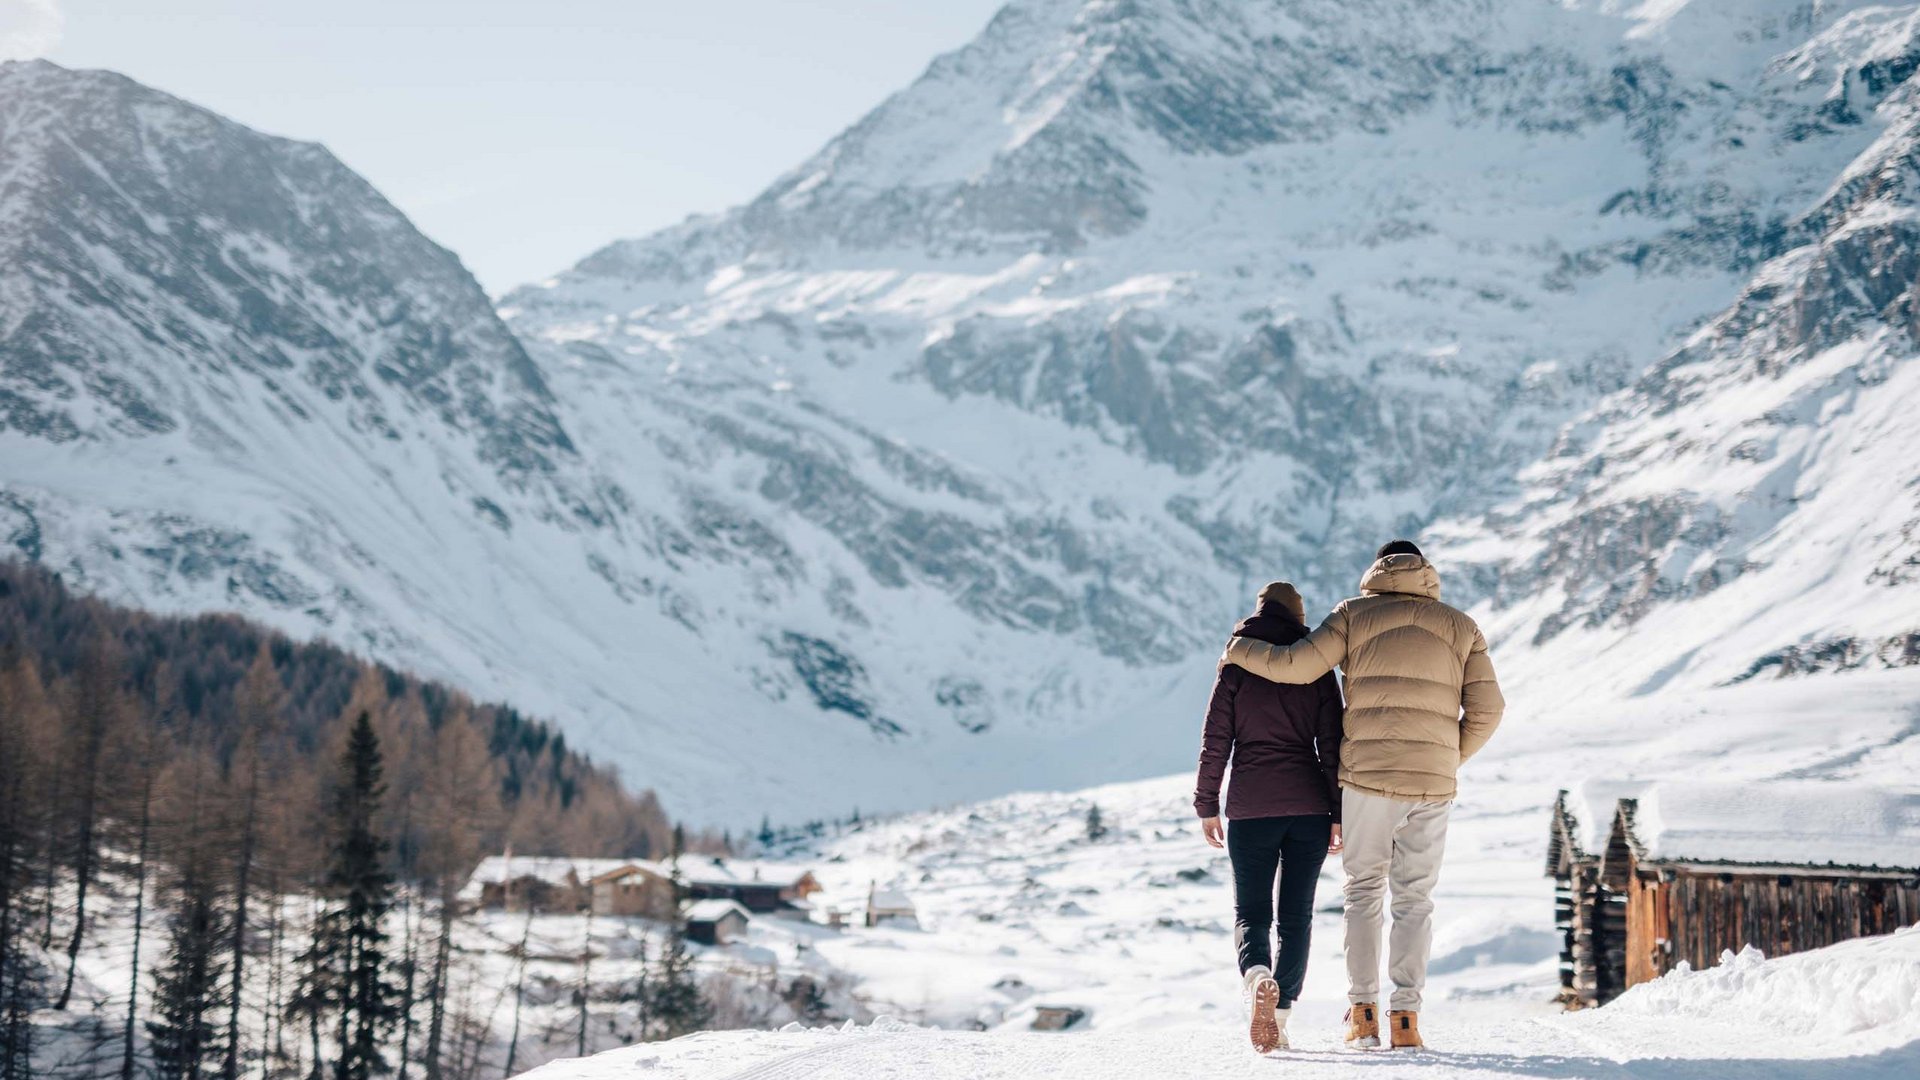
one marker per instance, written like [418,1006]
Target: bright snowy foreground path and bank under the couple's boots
[1850,1012]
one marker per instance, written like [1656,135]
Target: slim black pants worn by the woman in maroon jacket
[1264,850]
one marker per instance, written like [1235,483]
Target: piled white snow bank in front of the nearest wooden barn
[1863,994]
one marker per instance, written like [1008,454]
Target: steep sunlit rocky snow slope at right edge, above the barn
[1758,485]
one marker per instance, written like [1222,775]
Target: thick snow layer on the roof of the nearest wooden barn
[1779,823]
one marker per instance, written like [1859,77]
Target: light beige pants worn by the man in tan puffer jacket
[1391,845]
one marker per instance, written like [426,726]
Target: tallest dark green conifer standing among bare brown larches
[350,939]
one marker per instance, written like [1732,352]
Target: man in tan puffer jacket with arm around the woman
[1422,699]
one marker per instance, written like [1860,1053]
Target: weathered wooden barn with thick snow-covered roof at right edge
[1692,870]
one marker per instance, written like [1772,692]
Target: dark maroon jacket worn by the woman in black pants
[1284,741]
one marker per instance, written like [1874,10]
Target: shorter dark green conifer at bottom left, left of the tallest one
[187,991]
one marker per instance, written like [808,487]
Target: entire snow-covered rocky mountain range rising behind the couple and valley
[942,468]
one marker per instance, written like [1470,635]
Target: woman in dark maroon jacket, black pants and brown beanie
[1284,808]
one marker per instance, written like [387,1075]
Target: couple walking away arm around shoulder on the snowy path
[1370,781]
